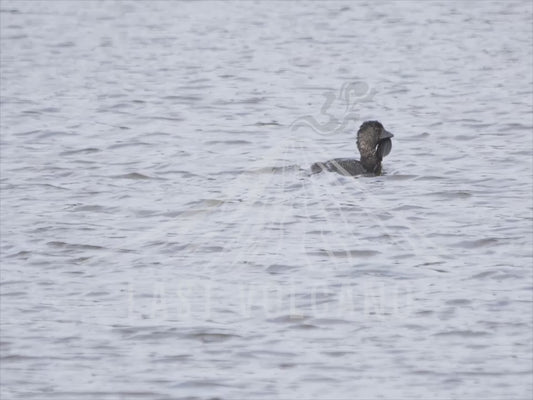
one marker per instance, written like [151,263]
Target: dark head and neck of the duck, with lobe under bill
[374,143]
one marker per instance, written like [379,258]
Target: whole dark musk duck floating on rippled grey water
[373,142]
